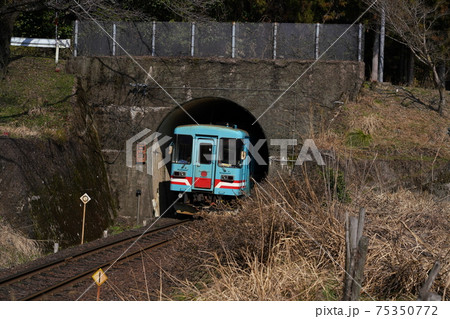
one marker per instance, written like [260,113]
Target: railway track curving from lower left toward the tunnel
[46,278]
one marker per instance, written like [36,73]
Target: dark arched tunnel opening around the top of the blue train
[218,111]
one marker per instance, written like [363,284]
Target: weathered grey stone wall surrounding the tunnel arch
[124,100]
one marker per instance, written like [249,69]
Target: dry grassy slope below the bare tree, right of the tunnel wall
[380,113]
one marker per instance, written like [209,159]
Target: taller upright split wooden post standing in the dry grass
[356,252]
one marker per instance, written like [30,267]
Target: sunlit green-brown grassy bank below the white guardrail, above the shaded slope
[35,99]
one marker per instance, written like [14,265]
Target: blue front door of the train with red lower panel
[203,176]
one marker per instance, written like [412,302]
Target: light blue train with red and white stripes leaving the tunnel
[209,161]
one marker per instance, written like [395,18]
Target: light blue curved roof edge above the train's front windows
[211,130]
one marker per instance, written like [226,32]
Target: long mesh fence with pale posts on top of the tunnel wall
[216,39]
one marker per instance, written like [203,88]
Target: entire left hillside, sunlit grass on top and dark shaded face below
[49,156]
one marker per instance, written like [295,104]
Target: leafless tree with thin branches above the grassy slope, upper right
[423,26]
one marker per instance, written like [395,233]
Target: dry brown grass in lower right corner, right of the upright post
[408,233]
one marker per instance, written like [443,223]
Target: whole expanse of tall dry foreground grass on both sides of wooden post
[287,243]
